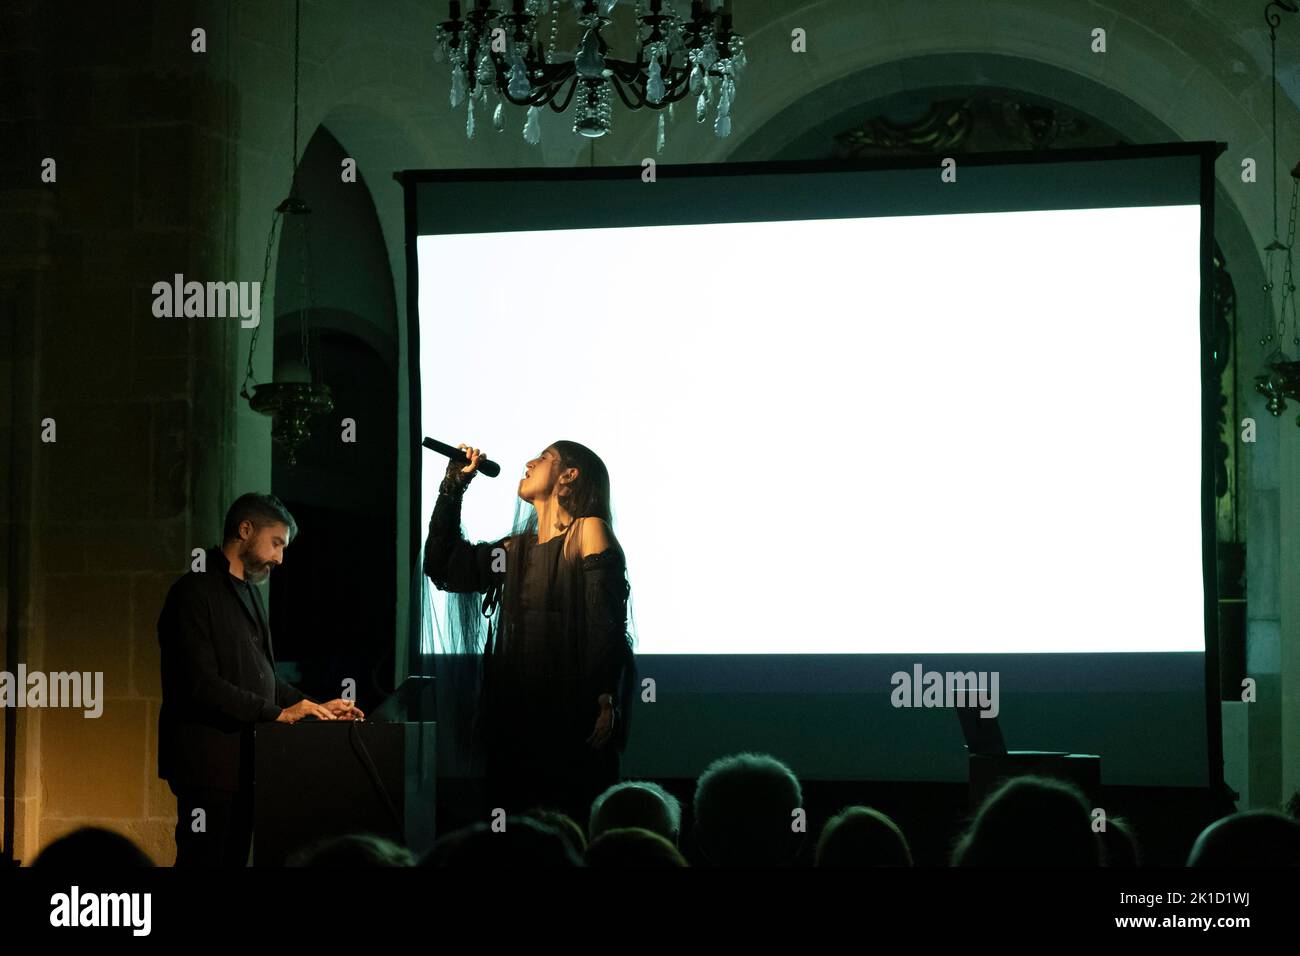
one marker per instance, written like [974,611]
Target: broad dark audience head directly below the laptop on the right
[1032,821]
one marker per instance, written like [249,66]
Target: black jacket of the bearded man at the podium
[210,644]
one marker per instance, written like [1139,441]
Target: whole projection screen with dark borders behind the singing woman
[861,421]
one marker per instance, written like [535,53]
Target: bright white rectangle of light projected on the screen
[976,434]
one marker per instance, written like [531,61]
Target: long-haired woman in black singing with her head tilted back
[558,671]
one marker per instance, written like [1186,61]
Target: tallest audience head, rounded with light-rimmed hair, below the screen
[746,812]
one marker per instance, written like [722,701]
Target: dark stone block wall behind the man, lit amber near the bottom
[140,466]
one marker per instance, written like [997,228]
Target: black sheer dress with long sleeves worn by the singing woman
[557,641]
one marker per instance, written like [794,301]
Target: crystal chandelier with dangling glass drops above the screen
[504,57]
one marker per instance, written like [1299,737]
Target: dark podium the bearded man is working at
[327,778]
